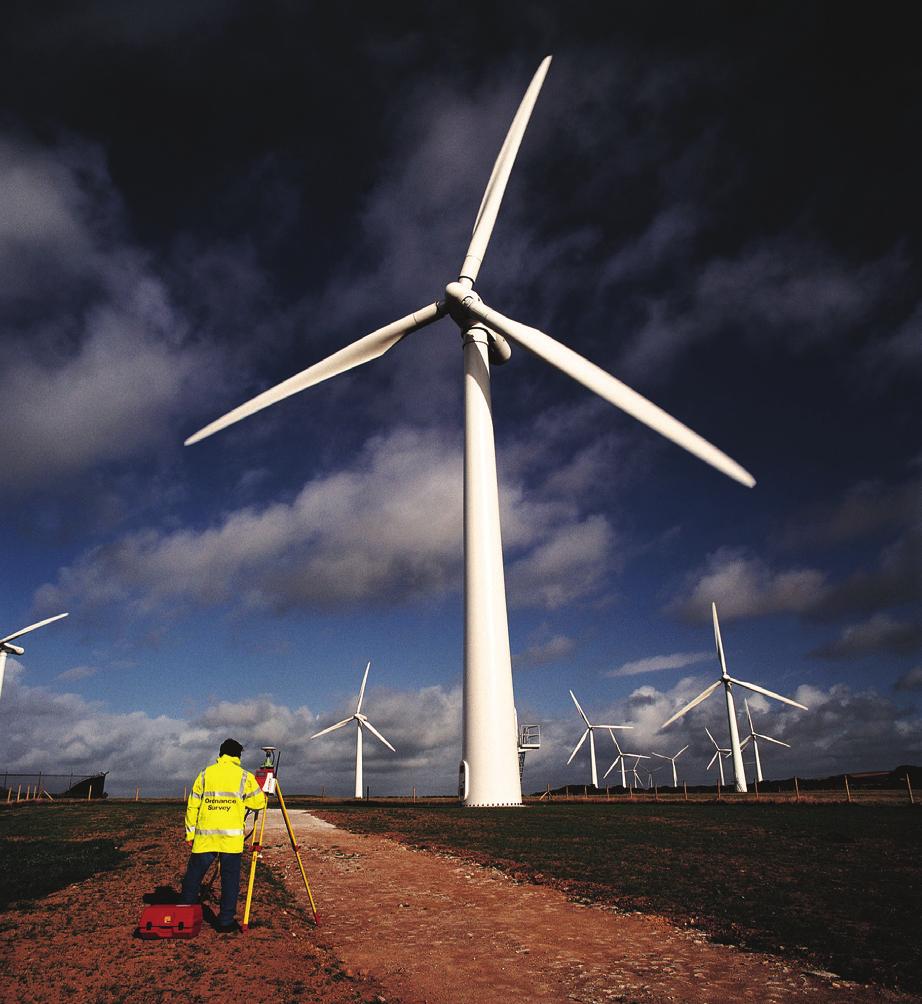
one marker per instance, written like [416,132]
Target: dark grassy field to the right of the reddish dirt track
[838,886]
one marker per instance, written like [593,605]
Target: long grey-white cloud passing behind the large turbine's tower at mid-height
[387,529]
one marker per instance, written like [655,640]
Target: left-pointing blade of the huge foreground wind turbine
[363,351]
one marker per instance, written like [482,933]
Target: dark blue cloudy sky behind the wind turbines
[719,205]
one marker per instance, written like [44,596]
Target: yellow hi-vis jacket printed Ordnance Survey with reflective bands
[220,798]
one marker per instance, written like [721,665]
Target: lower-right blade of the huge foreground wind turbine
[605,385]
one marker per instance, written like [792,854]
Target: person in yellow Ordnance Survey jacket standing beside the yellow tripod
[221,795]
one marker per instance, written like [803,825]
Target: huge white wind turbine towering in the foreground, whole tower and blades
[489,774]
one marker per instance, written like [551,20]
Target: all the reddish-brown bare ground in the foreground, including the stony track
[398,925]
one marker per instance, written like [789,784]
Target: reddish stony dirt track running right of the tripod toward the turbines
[432,929]
